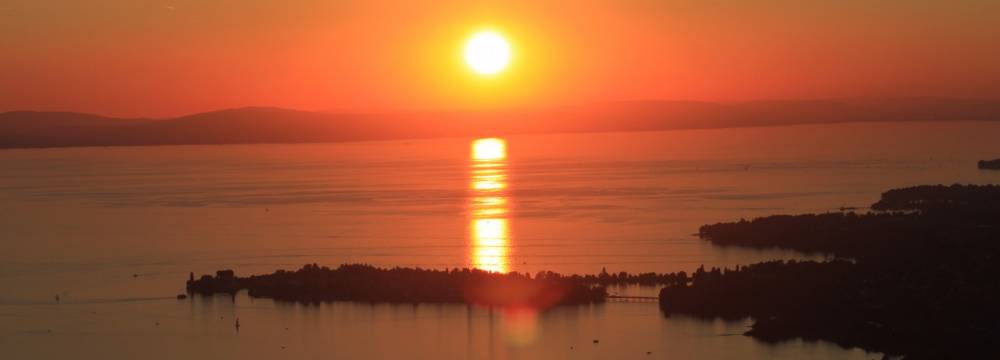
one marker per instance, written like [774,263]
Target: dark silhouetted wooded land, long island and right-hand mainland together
[915,277]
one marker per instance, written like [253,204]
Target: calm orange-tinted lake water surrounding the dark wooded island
[115,231]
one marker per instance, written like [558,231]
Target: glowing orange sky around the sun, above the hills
[165,58]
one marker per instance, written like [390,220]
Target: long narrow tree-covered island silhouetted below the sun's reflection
[365,283]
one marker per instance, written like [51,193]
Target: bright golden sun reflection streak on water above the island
[490,239]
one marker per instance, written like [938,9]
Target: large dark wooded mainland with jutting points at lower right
[920,279]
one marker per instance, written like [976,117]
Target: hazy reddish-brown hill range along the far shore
[20,129]
